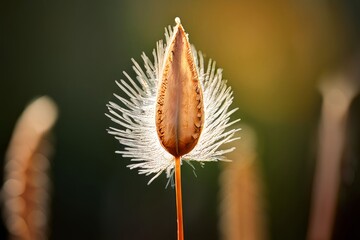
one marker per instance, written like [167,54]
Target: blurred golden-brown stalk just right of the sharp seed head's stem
[242,213]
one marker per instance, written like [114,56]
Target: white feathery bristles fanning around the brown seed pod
[136,114]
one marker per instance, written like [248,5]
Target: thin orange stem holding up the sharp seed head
[178,199]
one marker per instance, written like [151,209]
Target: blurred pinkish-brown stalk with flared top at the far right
[338,91]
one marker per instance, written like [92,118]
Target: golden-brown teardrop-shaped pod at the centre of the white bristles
[179,110]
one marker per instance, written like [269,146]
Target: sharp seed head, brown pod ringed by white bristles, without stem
[175,106]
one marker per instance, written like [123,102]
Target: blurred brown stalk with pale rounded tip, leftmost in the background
[25,191]
